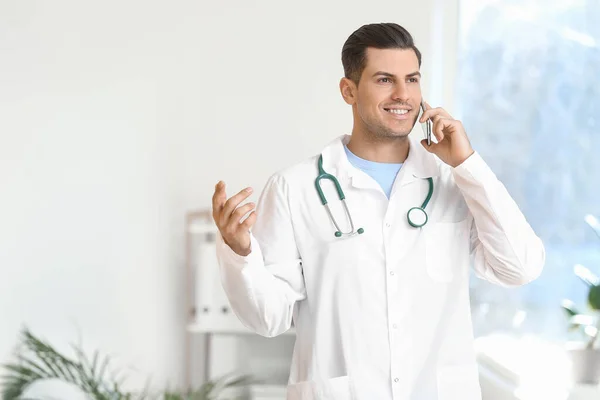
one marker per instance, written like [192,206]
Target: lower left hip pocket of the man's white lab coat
[330,389]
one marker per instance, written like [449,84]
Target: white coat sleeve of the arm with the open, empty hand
[264,286]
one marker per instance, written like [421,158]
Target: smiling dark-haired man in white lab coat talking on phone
[380,305]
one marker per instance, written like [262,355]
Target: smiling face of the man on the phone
[386,101]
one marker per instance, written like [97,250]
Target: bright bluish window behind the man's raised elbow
[528,92]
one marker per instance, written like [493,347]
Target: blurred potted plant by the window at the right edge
[585,355]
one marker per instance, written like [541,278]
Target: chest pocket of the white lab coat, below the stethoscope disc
[446,249]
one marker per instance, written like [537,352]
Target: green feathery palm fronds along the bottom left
[89,379]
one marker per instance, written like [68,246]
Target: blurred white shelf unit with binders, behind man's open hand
[217,327]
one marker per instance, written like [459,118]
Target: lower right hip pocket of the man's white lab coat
[459,382]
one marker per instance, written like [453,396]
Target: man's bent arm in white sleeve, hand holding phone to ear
[505,248]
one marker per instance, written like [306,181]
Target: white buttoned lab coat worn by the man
[383,315]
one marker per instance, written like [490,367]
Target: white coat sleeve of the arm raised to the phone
[504,248]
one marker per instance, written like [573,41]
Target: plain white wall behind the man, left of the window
[117,117]
